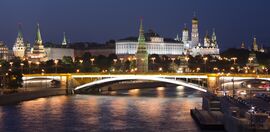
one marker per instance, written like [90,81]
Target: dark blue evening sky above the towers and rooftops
[100,20]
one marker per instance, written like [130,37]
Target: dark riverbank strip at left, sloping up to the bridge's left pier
[30,95]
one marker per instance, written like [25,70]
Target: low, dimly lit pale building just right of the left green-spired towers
[59,53]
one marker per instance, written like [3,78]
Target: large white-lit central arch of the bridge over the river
[149,78]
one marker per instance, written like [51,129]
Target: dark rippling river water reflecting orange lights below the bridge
[155,109]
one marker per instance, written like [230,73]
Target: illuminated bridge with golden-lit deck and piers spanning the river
[199,81]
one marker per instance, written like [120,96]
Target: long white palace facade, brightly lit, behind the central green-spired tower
[155,46]
